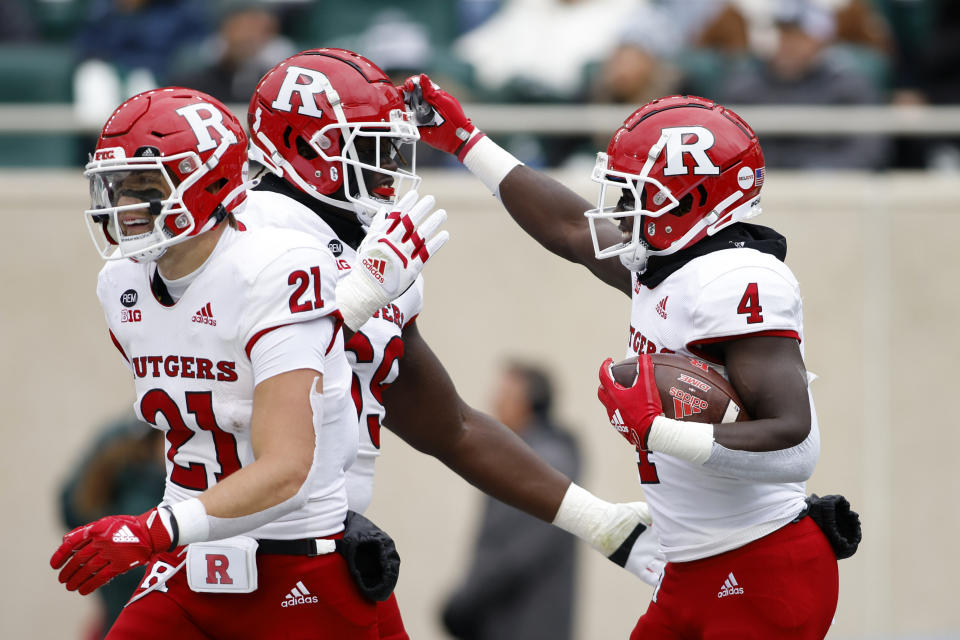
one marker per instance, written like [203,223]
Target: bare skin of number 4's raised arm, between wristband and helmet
[552,214]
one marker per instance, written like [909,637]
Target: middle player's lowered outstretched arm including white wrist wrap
[495,460]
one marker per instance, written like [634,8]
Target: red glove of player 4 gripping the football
[631,409]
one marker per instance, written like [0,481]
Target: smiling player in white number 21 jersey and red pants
[233,338]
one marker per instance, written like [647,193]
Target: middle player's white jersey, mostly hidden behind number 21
[373,351]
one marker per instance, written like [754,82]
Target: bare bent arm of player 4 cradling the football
[768,374]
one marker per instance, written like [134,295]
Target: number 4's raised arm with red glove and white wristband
[547,210]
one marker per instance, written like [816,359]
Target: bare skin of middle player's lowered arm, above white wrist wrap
[424,409]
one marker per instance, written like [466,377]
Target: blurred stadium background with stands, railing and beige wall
[856,103]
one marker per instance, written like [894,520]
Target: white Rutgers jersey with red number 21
[192,370]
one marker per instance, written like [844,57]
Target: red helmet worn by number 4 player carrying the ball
[683,168]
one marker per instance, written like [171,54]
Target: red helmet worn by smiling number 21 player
[179,156]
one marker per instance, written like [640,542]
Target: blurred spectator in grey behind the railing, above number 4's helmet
[803,70]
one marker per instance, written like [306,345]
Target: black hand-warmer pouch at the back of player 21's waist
[371,556]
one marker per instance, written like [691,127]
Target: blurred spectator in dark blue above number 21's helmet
[125,47]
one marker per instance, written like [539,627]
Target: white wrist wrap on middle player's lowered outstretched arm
[601,524]
